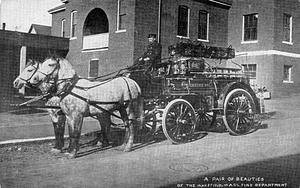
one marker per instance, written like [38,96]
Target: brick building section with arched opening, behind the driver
[108,35]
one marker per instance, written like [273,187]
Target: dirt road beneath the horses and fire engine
[269,157]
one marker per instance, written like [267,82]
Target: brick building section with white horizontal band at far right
[266,37]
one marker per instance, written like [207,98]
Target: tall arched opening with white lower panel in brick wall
[95,30]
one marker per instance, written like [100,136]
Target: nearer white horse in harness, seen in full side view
[80,97]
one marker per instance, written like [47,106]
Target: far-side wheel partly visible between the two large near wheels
[205,119]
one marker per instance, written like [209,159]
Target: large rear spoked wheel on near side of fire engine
[239,112]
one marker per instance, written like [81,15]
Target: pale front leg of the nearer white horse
[74,123]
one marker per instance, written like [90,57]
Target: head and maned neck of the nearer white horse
[53,71]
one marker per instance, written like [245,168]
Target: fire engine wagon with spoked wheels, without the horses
[184,92]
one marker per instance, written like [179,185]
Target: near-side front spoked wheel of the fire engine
[179,121]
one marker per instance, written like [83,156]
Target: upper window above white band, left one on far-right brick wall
[250,27]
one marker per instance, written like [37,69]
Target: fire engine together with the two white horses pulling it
[179,94]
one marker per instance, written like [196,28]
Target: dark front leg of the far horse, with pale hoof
[58,120]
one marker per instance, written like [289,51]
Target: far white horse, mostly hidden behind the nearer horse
[57,117]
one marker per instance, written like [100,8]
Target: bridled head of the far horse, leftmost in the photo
[23,79]
